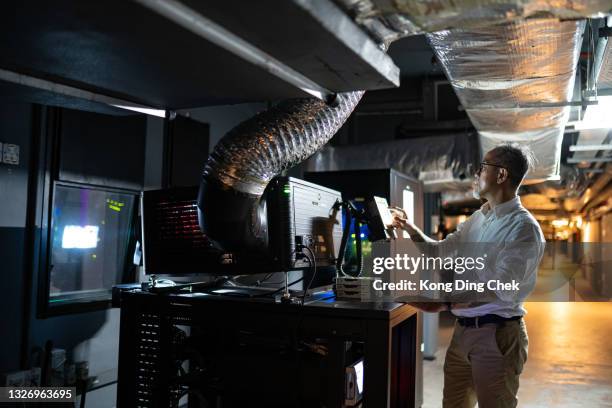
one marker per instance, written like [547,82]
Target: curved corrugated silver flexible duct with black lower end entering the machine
[242,164]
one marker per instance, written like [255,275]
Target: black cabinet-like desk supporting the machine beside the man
[388,336]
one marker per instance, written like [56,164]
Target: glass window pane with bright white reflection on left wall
[89,242]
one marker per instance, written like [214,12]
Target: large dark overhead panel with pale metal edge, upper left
[171,54]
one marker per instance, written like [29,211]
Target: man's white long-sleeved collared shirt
[520,240]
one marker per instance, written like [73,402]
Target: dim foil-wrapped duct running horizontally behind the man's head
[447,162]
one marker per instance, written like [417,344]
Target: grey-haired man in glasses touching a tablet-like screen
[489,344]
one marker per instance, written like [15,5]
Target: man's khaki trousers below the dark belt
[483,364]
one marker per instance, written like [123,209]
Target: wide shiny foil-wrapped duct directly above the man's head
[498,70]
